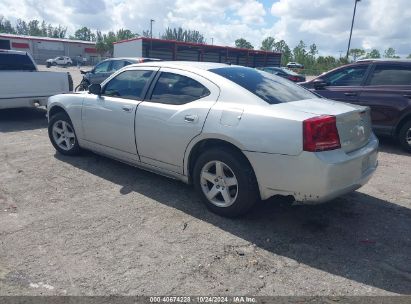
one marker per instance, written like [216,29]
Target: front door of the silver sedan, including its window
[108,120]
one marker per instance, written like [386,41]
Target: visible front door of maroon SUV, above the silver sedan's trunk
[344,84]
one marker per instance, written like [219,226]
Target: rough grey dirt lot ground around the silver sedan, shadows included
[89,225]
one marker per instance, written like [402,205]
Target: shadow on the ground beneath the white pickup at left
[12,120]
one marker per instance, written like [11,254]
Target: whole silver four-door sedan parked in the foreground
[238,134]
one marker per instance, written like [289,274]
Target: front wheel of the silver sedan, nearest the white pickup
[62,134]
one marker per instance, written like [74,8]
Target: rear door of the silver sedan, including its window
[172,114]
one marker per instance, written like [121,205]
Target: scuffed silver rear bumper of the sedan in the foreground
[314,177]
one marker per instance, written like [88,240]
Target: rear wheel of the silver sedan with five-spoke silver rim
[225,181]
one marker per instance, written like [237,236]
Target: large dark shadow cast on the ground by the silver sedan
[358,236]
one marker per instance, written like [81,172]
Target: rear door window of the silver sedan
[177,89]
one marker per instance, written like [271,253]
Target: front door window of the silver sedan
[128,84]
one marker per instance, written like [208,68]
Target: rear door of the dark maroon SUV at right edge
[387,92]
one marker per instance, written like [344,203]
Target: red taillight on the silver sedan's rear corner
[320,134]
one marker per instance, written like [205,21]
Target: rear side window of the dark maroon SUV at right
[391,75]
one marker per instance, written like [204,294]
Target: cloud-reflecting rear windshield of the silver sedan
[270,88]
